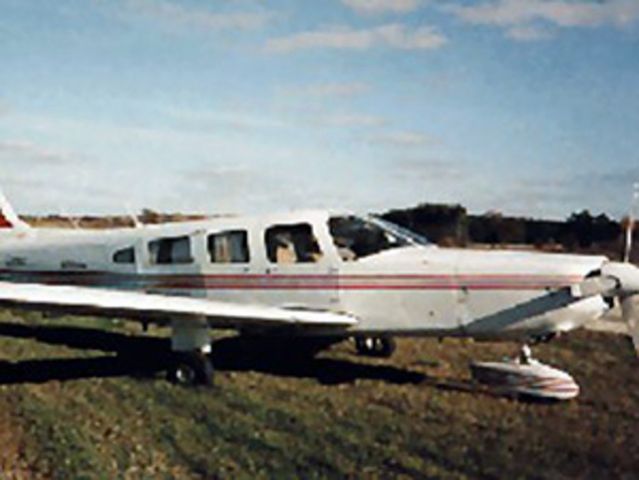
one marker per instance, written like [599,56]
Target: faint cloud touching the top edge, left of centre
[179,15]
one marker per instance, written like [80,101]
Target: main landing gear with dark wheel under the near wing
[189,363]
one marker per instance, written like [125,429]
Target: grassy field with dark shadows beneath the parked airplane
[83,398]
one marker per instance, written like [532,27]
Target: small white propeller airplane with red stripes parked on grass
[305,275]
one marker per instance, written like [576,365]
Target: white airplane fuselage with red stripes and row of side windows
[404,290]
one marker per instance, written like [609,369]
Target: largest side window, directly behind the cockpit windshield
[286,244]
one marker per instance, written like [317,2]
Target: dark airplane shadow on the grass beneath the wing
[143,356]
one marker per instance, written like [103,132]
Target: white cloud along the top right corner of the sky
[562,13]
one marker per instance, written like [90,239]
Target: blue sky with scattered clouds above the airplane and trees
[527,107]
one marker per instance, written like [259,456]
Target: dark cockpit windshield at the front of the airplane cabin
[358,237]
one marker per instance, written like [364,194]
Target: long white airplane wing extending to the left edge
[161,309]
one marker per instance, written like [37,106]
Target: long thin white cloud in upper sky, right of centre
[345,38]
